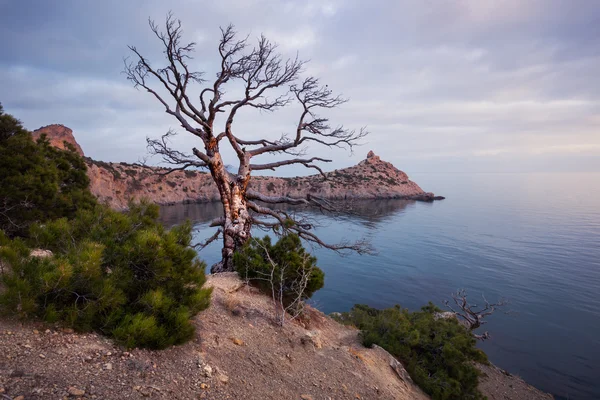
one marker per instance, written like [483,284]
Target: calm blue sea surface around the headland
[531,238]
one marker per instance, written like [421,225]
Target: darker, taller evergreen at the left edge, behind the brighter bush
[37,181]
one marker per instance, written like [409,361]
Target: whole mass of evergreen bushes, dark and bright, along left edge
[121,274]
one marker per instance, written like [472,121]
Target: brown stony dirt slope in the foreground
[238,353]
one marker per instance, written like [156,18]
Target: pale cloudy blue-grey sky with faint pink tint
[441,85]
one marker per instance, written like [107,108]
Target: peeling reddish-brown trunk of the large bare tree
[237,221]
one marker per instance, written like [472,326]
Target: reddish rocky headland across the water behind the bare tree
[116,183]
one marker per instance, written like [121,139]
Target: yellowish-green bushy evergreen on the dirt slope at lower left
[120,274]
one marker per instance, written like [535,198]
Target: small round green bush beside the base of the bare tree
[290,262]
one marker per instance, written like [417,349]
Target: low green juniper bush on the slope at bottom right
[437,354]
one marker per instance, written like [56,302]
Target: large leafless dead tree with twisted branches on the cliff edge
[265,82]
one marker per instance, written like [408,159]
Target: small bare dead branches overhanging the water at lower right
[471,315]
